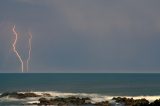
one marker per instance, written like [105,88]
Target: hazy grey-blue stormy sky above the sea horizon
[93,36]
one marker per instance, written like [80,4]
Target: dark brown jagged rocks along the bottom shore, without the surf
[46,99]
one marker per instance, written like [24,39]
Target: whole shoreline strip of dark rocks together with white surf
[81,99]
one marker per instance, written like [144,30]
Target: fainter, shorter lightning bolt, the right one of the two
[30,49]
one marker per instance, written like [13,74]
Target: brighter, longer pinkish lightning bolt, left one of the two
[14,47]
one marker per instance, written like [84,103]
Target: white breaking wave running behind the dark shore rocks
[94,97]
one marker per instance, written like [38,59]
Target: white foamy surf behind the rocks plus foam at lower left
[94,97]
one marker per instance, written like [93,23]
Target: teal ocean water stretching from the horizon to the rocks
[104,85]
